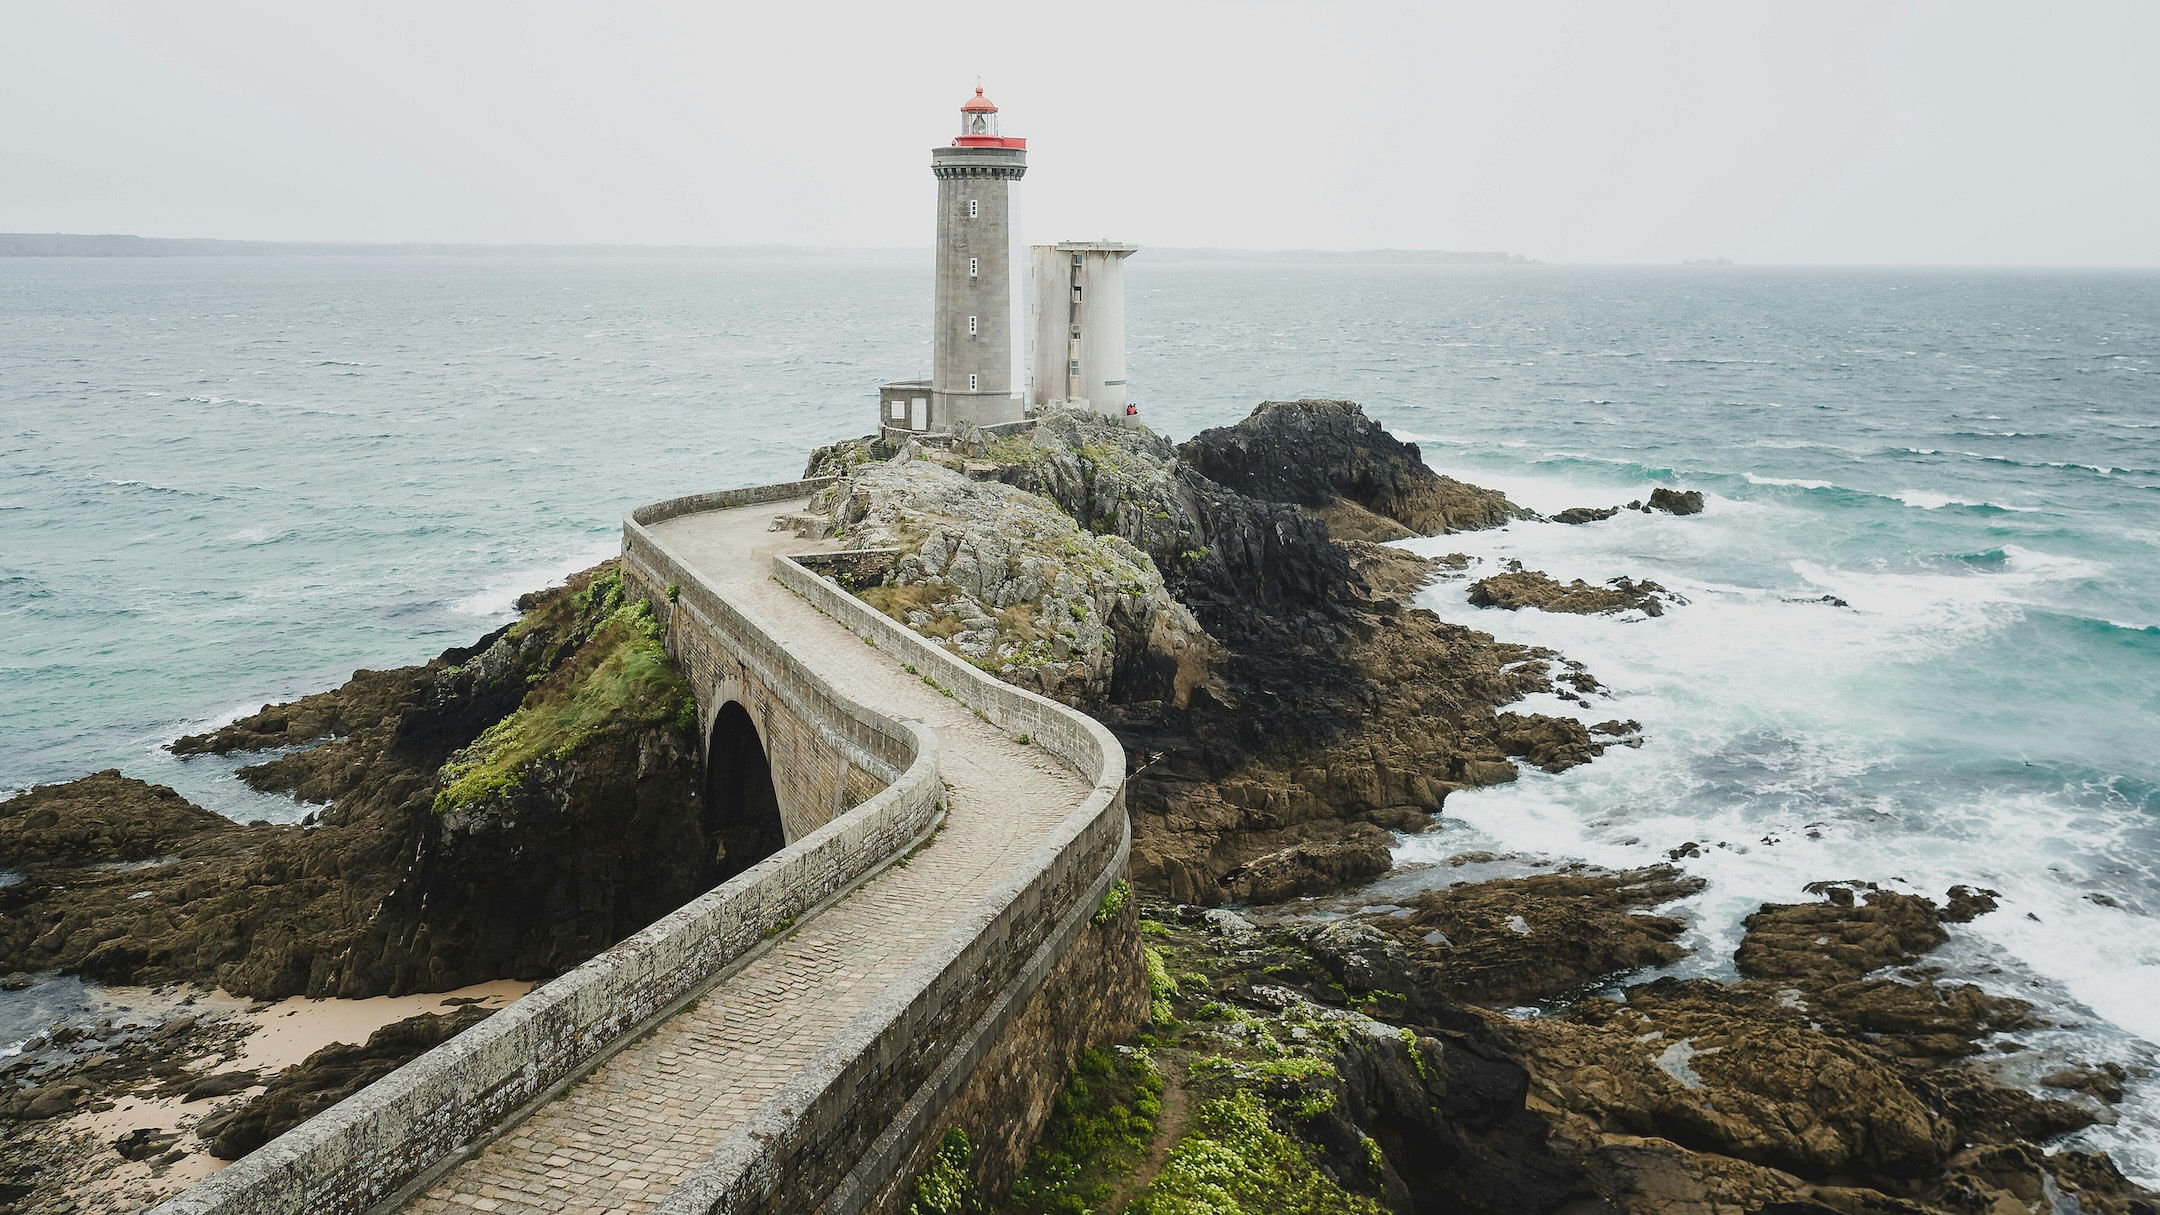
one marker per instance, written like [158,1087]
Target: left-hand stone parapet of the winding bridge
[427,1114]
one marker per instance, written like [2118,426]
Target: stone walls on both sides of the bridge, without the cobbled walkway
[967,1026]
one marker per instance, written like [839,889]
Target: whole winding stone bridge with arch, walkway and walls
[915,939]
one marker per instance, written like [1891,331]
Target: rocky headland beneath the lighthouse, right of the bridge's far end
[1332,715]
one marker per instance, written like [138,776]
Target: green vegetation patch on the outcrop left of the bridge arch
[604,669]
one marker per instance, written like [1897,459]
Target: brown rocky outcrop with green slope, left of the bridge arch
[502,812]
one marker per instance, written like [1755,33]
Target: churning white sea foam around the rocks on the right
[1783,738]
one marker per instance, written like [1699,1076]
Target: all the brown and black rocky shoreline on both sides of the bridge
[1232,611]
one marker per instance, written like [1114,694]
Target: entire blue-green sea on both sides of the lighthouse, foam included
[234,481]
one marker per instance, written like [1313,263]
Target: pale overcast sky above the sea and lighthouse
[1954,133]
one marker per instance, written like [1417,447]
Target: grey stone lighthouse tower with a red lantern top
[973,338]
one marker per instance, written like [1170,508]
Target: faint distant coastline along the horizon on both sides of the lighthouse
[124,245]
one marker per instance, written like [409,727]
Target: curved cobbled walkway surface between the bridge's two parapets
[623,1136]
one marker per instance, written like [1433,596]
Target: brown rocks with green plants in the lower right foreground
[1371,1076]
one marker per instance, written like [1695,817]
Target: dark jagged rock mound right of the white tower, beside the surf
[1317,453]
